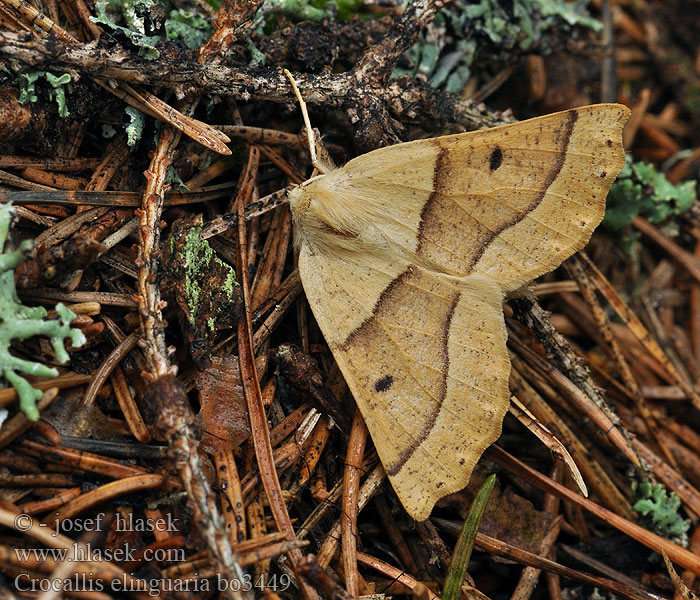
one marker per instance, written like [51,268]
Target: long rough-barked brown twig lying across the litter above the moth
[401,99]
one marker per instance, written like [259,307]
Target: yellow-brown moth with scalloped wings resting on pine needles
[406,254]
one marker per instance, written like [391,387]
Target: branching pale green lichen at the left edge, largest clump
[19,322]
